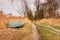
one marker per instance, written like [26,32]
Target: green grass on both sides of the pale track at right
[47,34]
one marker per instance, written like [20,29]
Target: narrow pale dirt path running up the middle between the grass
[35,34]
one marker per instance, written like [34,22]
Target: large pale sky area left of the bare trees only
[7,7]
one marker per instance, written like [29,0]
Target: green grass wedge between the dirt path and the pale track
[47,35]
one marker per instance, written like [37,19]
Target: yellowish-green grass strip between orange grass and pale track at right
[47,24]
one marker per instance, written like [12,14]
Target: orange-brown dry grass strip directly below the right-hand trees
[55,21]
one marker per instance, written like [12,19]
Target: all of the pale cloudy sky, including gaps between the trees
[17,5]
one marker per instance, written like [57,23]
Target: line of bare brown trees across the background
[43,10]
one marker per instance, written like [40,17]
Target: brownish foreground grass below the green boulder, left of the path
[16,33]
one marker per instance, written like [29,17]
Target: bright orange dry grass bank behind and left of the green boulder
[4,21]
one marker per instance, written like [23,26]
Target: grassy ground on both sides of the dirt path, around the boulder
[48,28]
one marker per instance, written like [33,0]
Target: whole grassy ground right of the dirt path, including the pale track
[49,28]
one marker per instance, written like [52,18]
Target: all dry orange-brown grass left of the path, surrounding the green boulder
[14,33]
